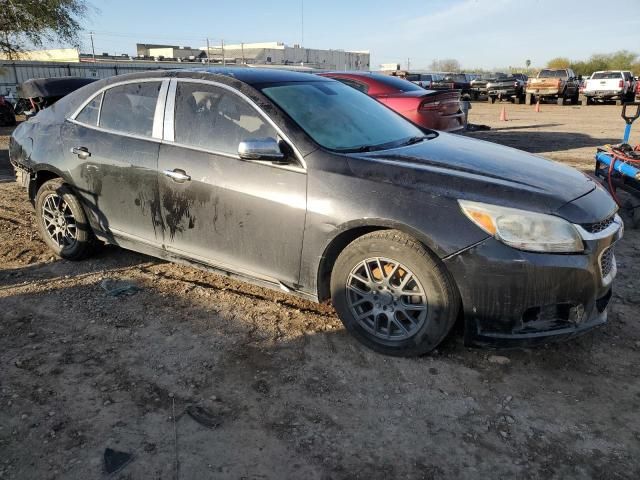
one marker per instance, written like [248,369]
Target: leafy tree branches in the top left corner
[25,23]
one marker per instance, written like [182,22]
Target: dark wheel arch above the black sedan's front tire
[349,232]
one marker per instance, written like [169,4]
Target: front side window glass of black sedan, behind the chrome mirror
[213,118]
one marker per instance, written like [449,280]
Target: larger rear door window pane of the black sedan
[130,108]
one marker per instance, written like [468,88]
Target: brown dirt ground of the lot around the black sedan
[279,388]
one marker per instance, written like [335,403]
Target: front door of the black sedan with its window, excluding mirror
[247,216]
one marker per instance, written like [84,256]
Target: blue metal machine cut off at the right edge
[619,165]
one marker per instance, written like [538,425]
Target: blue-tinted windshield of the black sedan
[341,118]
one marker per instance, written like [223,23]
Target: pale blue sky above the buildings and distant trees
[478,33]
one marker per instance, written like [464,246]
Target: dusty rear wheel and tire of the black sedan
[68,248]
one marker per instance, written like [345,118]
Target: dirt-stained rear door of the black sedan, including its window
[114,141]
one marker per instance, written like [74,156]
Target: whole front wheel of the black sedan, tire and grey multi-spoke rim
[393,295]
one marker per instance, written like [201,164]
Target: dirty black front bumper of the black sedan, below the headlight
[513,298]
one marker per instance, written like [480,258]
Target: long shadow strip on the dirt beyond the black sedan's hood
[541,142]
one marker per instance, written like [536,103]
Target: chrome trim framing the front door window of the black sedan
[170,115]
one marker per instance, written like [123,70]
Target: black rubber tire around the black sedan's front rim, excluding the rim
[441,296]
